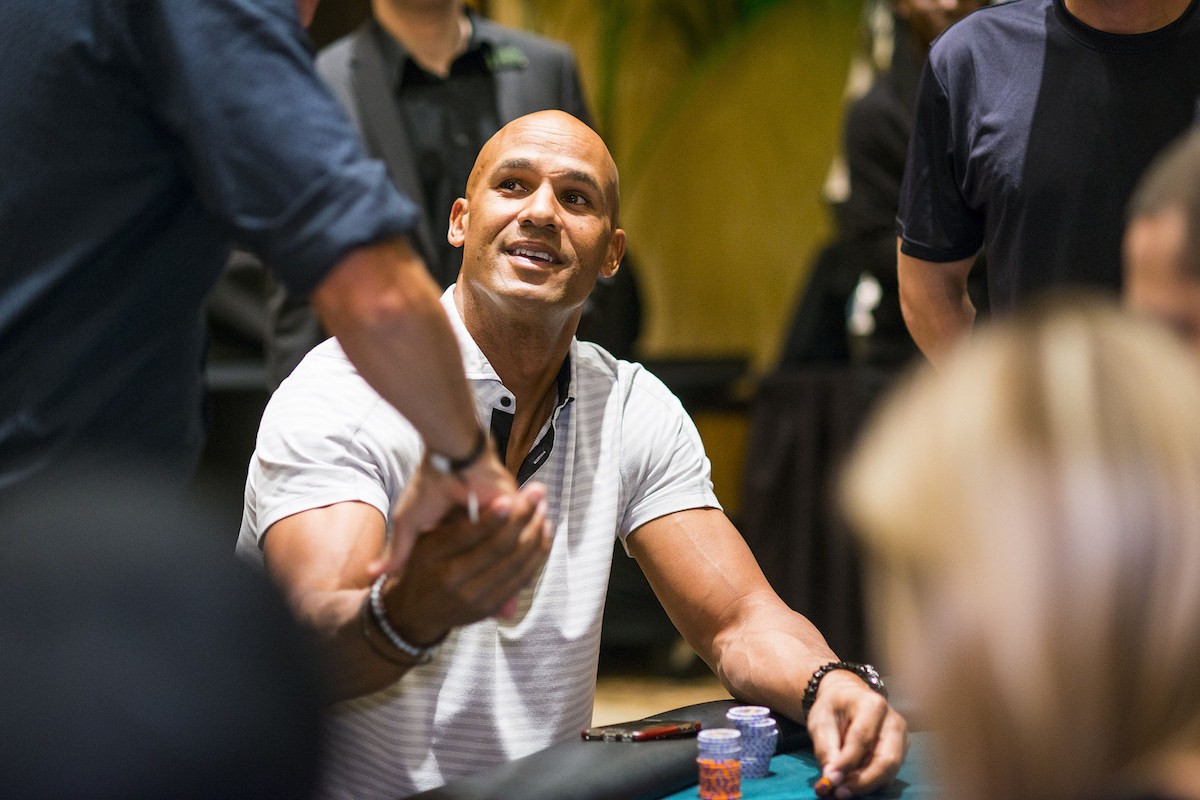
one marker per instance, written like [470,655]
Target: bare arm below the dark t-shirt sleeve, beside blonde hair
[935,303]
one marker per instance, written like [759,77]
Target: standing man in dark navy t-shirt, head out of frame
[1034,122]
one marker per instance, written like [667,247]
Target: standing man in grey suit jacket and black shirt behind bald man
[428,85]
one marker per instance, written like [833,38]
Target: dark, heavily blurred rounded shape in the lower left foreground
[137,659]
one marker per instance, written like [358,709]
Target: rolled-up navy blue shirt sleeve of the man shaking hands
[269,151]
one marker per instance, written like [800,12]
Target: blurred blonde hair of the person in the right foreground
[1035,514]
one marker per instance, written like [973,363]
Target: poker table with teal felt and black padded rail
[652,771]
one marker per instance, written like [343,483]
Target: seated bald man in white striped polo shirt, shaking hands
[478,643]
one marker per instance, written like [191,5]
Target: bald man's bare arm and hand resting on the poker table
[764,652]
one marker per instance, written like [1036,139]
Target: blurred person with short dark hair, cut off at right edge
[1162,244]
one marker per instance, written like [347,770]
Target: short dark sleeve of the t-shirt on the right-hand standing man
[935,222]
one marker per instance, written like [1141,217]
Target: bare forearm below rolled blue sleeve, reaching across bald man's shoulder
[385,309]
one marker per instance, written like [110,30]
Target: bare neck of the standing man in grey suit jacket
[434,33]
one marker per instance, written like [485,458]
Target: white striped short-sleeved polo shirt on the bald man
[625,453]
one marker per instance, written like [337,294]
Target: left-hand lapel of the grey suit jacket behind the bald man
[383,129]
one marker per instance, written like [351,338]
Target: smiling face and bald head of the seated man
[539,221]
